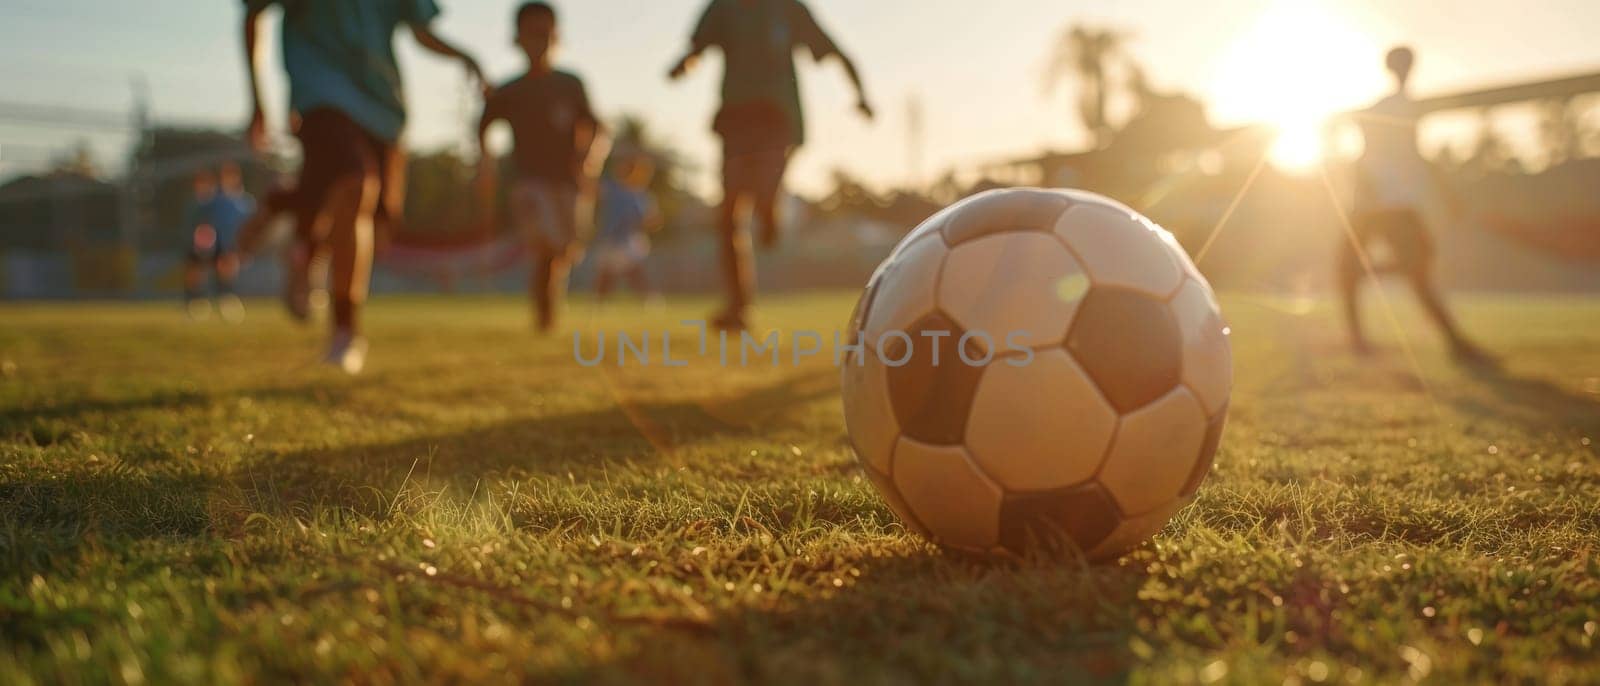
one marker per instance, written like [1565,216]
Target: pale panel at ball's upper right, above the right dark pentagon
[1119,250]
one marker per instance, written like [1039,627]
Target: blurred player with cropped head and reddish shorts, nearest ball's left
[761,121]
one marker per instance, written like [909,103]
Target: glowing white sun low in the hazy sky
[1300,63]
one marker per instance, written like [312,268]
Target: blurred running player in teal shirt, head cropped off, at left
[345,90]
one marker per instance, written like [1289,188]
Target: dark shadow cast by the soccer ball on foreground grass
[994,623]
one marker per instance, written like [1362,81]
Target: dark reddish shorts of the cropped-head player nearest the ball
[754,148]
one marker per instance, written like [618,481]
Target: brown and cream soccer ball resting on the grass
[1036,367]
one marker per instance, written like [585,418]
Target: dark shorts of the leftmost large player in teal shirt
[337,148]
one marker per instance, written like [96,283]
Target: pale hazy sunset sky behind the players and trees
[975,68]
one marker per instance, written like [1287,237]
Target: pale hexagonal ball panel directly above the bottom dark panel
[1042,426]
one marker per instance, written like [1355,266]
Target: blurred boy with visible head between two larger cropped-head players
[554,154]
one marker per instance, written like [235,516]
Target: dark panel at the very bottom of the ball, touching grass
[1039,522]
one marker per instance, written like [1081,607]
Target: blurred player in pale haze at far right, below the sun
[1393,188]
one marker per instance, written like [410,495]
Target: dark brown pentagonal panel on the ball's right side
[1130,346]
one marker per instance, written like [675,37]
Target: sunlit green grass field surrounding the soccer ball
[196,503]
